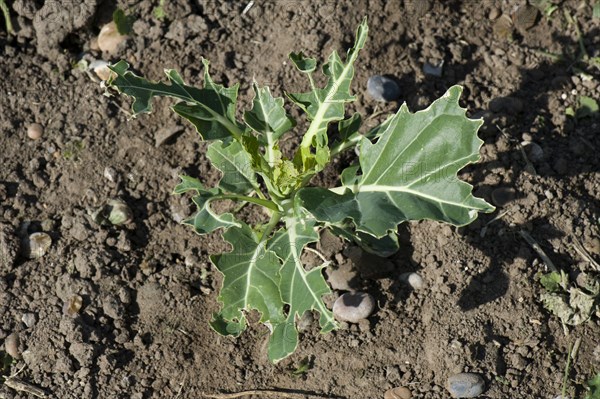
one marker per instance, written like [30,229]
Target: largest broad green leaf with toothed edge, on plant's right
[409,174]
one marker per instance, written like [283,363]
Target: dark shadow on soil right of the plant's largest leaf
[532,92]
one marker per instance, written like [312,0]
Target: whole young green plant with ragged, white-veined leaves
[407,170]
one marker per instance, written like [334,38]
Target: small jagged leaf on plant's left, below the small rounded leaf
[205,220]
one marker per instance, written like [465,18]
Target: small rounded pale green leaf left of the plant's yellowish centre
[235,164]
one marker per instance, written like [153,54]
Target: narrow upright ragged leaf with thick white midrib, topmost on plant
[325,105]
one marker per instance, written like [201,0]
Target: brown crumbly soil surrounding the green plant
[148,289]
